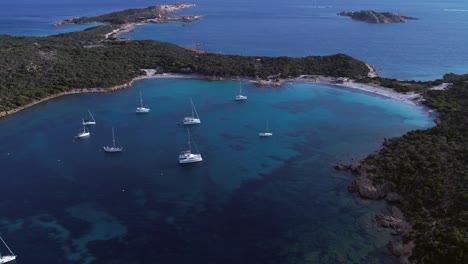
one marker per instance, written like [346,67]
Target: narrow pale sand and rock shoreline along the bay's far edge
[413,98]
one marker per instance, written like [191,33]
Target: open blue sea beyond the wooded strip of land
[423,49]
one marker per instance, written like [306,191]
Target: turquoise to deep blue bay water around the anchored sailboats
[252,200]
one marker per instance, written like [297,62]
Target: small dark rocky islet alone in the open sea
[370,16]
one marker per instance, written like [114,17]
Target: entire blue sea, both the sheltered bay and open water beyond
[251,200]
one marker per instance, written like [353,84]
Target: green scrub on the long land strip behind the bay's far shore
[36,67]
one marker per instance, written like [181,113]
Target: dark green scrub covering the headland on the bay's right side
[430,168]
